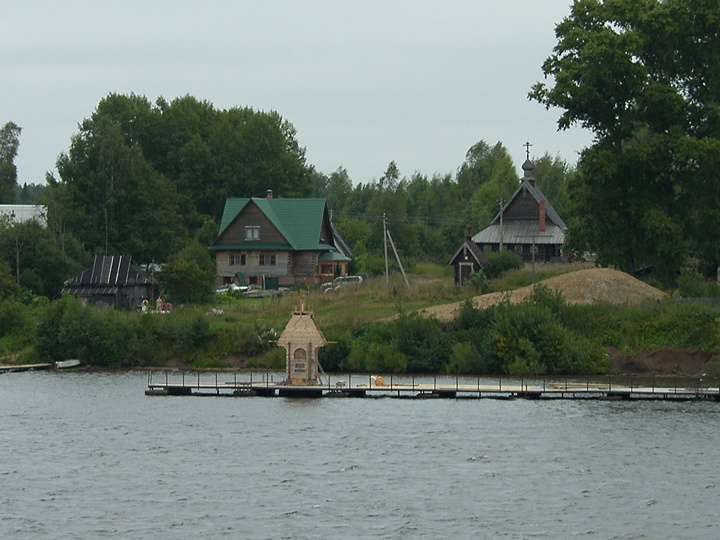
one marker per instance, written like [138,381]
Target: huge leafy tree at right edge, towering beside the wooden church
[644,77]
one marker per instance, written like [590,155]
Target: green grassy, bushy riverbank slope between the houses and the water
[373,328]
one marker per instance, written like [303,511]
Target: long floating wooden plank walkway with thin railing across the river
[227,384]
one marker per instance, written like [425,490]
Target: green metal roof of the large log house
[298,220]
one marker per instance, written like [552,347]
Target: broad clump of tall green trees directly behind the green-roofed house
[140,178]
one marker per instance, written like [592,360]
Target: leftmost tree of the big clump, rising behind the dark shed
[114,200]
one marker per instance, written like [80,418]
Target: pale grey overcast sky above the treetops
[363,82]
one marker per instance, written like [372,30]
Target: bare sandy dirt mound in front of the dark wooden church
[593,285]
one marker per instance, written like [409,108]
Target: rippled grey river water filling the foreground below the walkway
[88,455]
